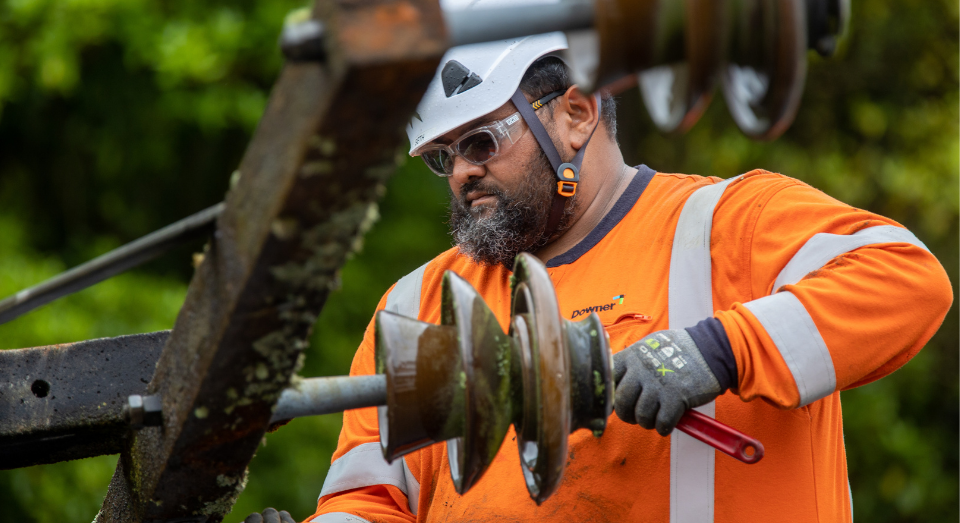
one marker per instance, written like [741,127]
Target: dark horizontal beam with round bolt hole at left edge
[65,402]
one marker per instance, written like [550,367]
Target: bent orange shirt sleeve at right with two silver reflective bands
[840,297]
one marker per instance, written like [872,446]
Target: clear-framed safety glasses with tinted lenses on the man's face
[477,146]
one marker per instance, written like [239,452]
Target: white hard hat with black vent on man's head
[474,80]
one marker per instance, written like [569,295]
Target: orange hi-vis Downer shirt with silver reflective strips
[799,333]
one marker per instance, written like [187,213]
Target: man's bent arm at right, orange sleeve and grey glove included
[835,297]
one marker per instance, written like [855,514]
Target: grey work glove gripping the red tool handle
[659,377]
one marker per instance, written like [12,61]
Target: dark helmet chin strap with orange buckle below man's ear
[567,173]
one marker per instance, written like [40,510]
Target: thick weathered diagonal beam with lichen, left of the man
[307,192]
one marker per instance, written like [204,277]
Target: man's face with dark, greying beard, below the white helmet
[500,208]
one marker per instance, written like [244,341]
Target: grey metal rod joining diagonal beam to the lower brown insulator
[315,396]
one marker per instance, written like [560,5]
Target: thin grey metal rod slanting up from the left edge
[110,264]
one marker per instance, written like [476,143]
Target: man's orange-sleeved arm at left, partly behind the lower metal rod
[360,485]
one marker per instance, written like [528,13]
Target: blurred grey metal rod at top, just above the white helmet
[469,26]
